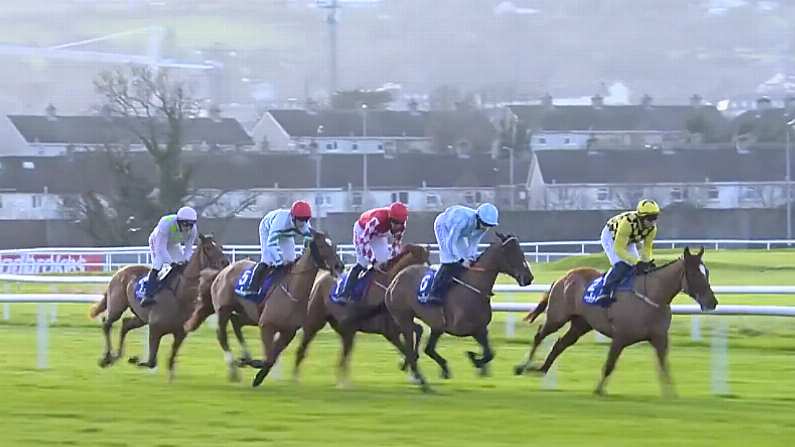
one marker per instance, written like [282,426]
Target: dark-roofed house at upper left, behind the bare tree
[55,135]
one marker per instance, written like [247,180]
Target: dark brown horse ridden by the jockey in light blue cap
[467,306]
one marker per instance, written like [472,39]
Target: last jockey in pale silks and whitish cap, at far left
[171,242]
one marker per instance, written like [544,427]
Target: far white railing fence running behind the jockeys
[78,259]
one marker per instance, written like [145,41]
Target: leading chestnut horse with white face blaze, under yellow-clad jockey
[642,314]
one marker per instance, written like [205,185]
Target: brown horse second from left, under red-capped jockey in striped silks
[287,297]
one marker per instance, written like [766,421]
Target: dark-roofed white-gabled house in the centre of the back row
[375,131]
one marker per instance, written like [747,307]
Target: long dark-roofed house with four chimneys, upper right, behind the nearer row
[547,126]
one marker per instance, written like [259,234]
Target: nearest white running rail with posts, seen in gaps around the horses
[719,352]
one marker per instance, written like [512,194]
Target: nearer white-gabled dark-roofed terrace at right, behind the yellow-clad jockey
[612,180]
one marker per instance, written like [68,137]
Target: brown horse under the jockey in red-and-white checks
[367,315]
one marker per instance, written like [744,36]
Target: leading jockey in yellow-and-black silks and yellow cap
[620,239]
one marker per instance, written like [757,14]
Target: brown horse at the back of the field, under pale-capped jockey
[175,302]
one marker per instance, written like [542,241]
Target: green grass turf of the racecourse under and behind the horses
[75,402]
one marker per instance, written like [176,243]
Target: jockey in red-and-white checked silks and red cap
[371,239]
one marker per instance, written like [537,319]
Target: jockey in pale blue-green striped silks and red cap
[276,236]
